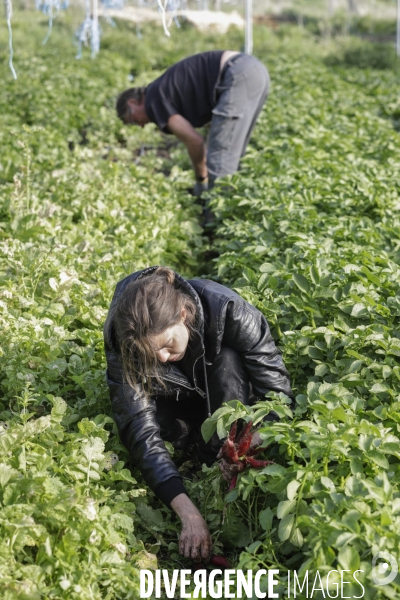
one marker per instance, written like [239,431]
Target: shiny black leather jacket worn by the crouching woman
[222,317]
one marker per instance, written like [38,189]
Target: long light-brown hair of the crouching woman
[147,307]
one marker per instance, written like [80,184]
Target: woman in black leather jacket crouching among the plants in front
[176,350]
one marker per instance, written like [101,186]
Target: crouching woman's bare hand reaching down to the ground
[195,540]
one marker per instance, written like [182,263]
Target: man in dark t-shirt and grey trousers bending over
[225,88]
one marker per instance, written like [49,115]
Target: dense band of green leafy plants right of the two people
[309,234]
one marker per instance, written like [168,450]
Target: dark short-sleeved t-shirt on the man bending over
[186,89]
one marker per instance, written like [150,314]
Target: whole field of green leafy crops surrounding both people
[308,232]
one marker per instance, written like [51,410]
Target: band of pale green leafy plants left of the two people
[84,202]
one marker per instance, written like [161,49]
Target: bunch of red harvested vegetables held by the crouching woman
[239,451]
